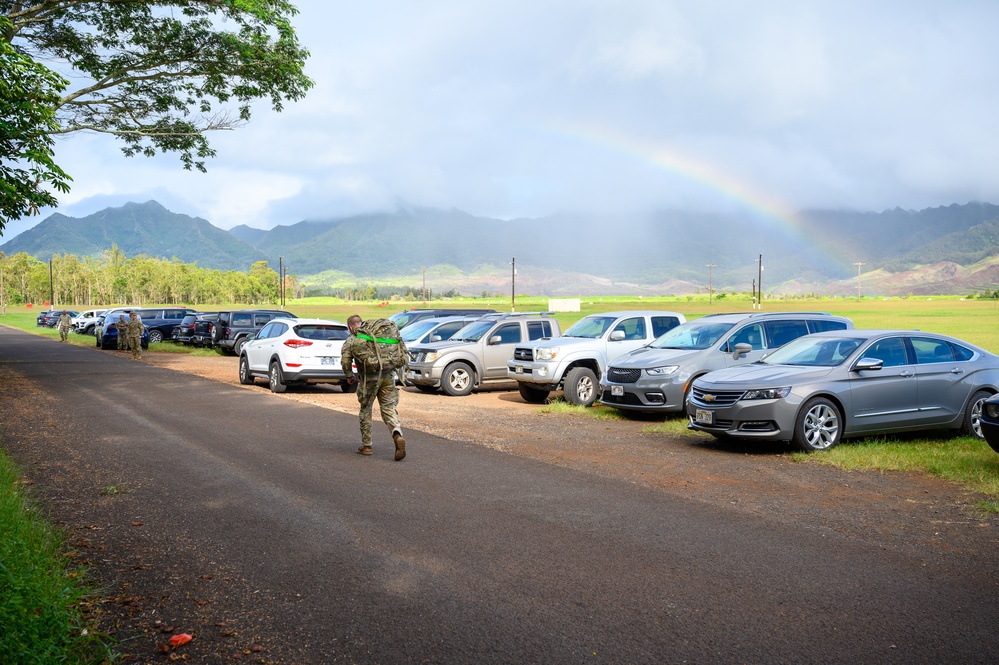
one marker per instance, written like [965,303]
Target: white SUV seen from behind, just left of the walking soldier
[289,351]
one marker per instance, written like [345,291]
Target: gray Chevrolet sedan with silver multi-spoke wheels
[820,388]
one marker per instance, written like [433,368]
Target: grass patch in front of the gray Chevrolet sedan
[961,459]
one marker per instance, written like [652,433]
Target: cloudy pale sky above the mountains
[526,108]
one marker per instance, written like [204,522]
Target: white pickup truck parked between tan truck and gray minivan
[576,361]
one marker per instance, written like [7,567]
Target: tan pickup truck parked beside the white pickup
[477,353]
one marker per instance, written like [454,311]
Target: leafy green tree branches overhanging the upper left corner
[158,75]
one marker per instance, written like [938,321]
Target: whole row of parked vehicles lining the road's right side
[809,378]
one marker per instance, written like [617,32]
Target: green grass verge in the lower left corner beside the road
[43,596]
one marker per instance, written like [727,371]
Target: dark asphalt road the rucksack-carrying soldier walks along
[250,521]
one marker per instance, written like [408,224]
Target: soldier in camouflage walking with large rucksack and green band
[376,351]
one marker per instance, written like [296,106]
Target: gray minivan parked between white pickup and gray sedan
[657,378]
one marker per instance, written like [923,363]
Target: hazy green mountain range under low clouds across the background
[949,249]
